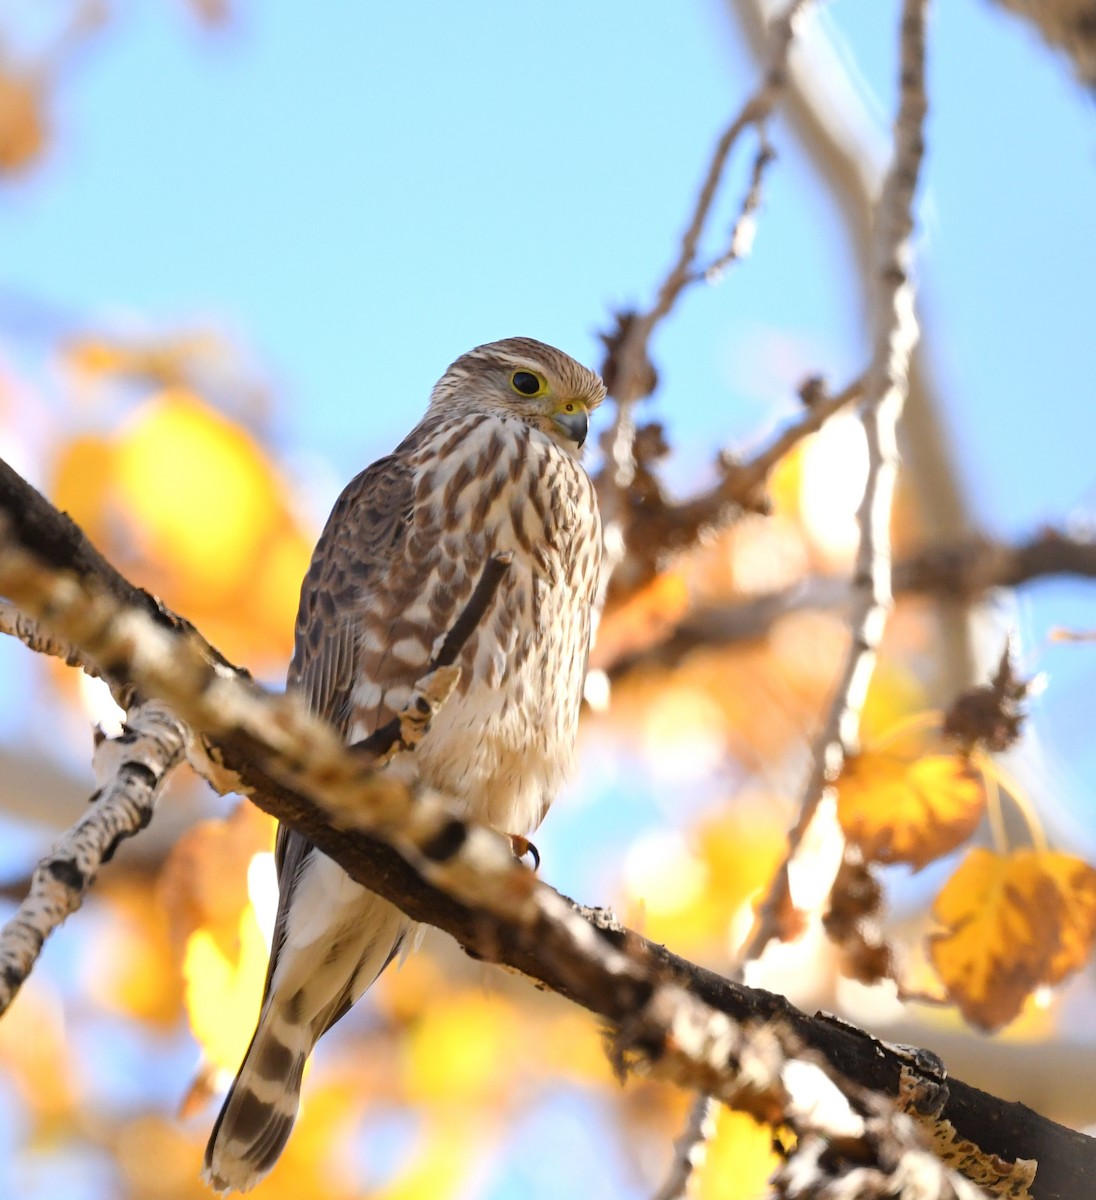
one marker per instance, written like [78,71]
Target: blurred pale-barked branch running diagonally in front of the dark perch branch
[288,757]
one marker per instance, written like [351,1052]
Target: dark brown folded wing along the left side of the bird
[364,536]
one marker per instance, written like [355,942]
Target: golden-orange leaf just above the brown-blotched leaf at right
[902,811]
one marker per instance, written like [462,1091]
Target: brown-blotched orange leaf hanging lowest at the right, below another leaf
[1004,919]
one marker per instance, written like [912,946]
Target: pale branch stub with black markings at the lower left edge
[139,761]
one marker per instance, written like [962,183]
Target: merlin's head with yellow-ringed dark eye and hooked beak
[525,380]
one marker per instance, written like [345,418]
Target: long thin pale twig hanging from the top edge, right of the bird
[896,333]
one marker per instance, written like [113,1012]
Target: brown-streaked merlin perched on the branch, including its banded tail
[493,467]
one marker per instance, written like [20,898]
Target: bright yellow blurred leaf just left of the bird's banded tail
[224,994]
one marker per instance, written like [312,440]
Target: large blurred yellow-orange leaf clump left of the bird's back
[191,505]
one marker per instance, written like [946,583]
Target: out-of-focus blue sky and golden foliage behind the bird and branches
[241,244]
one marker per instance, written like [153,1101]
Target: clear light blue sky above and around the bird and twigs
[358,194]
